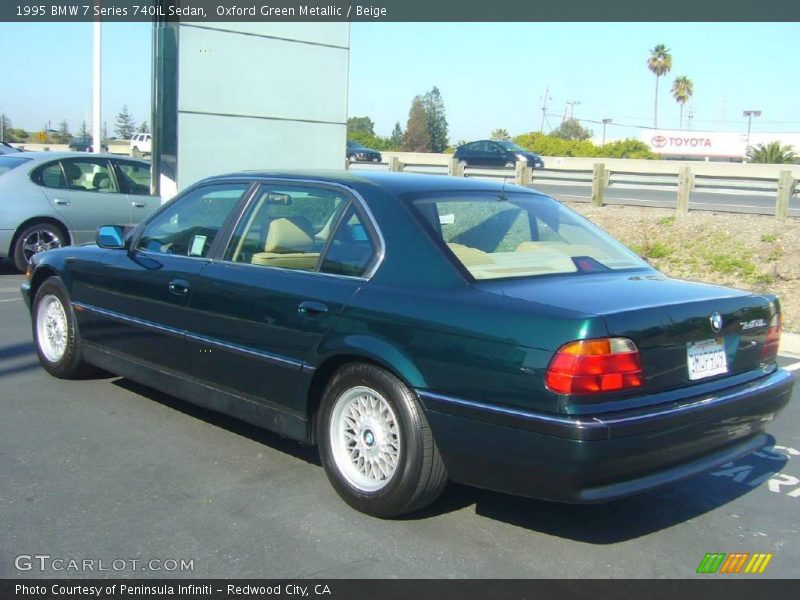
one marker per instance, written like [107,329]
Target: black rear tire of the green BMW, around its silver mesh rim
[419,476]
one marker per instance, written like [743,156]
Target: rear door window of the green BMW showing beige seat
[286,226]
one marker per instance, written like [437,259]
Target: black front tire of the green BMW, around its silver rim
[70,364]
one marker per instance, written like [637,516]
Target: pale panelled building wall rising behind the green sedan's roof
[261,96]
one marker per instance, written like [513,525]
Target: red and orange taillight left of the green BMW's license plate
[595,366]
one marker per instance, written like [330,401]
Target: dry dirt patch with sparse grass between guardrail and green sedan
[750,252]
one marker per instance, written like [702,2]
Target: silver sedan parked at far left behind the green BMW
[52,199]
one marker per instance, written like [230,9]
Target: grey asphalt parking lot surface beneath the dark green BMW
[108,470]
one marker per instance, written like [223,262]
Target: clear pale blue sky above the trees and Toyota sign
[490,74]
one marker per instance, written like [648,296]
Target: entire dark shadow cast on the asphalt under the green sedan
[600,524]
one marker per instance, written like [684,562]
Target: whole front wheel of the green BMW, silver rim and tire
[55,331]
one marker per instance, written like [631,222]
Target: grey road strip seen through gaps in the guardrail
[739,201]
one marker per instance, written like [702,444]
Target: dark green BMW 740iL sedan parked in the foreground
[420,329]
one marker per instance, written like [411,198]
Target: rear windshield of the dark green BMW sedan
[520,235]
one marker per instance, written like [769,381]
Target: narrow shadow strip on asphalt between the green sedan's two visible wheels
[257,434]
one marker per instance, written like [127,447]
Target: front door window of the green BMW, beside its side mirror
[189,225]
